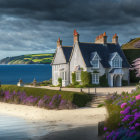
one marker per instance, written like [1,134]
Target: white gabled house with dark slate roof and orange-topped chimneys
[99,58]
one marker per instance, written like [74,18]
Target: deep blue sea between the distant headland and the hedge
[10,74]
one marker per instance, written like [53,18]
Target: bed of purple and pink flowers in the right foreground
[123,122]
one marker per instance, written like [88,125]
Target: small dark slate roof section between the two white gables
[67,52]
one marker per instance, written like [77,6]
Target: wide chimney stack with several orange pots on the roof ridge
[101,39]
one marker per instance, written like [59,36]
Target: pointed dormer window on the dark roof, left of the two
[95,61]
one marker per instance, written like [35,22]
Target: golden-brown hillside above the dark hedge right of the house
[132,44]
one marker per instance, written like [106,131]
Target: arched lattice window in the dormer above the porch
[116,62]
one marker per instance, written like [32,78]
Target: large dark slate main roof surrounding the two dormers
[104,52]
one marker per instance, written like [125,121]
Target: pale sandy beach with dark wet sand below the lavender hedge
[61,123]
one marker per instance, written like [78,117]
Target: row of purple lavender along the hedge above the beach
[55,102]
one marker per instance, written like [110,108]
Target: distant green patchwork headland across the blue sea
[29,59]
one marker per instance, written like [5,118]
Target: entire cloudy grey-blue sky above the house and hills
[33,26]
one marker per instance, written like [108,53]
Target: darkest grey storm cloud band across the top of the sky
[91,12]
